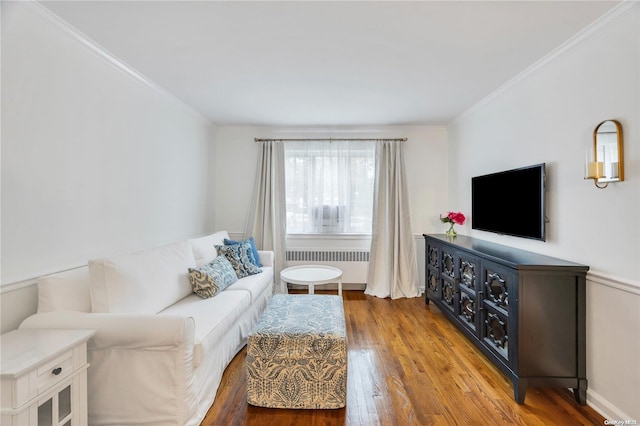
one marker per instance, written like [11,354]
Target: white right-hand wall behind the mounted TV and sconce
[549,115]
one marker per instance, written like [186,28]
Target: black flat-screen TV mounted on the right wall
[510,202]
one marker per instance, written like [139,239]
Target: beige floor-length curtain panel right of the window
[393,268]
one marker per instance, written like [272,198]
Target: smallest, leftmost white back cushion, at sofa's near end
[64,291]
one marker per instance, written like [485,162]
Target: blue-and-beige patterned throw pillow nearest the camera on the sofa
[210,279]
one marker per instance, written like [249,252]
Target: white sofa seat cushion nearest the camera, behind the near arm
[213,317]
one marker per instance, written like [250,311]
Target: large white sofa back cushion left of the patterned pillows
[144,282]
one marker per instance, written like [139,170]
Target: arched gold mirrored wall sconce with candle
[604,160]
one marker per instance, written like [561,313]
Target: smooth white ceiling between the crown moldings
[330,63]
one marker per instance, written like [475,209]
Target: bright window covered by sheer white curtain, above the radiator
[329,186]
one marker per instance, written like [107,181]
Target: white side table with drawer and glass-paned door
[44,377]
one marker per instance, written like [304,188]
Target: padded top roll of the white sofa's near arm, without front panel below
[126,331]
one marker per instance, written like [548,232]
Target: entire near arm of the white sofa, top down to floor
[141,365]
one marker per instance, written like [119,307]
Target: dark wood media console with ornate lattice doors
[524,311]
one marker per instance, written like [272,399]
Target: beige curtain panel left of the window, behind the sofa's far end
[267,216]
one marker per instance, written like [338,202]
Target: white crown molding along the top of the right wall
[587,34]
